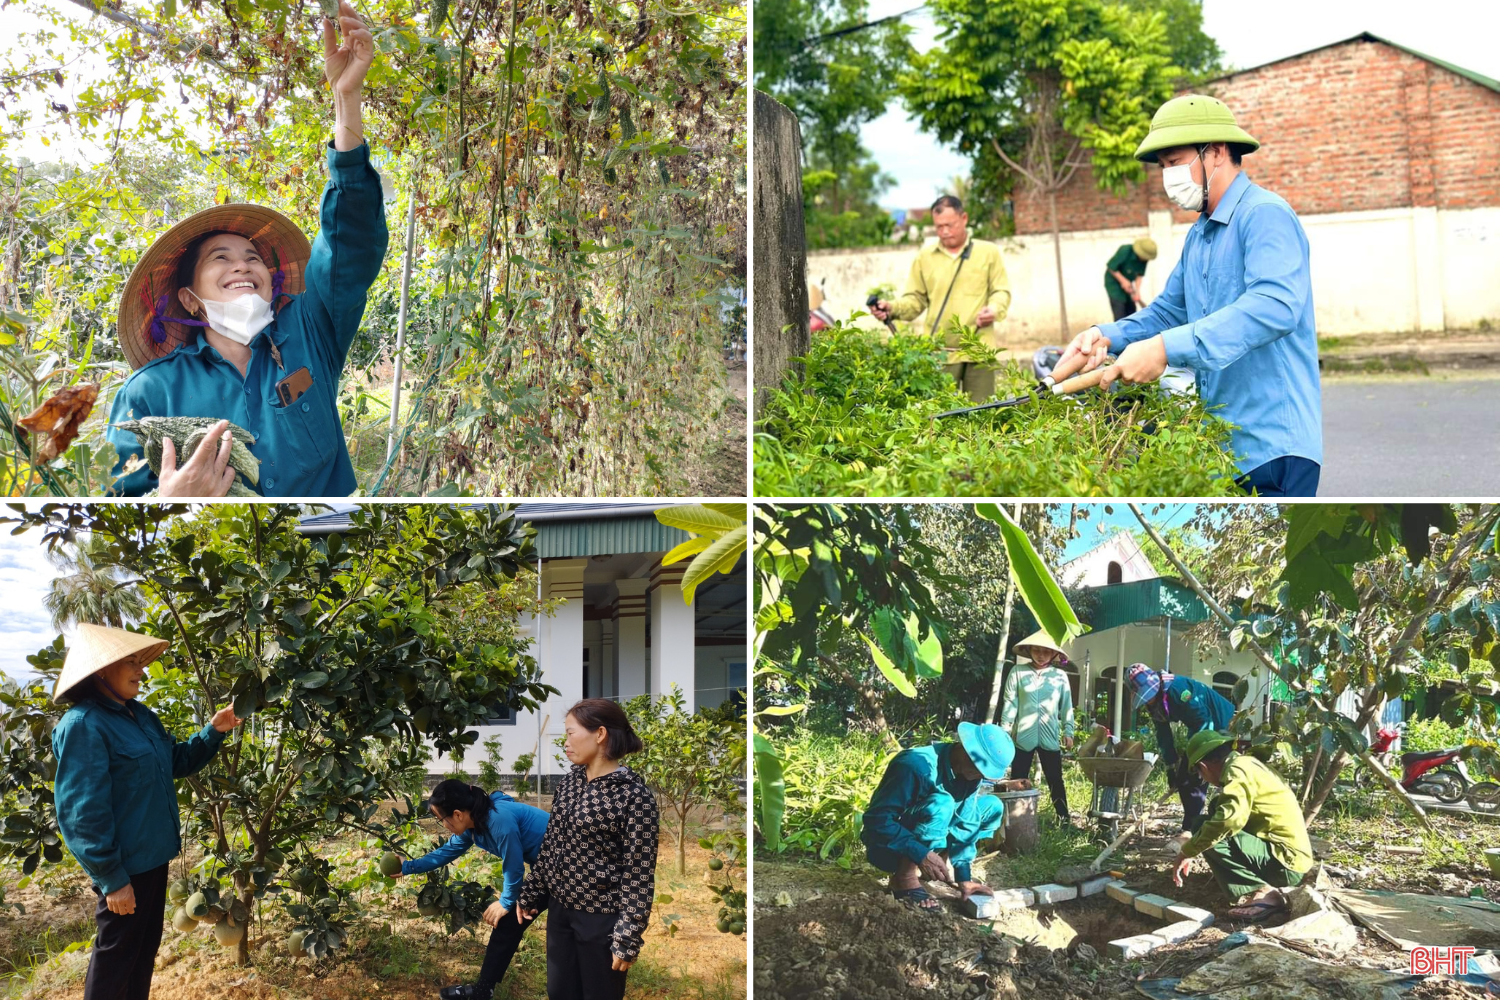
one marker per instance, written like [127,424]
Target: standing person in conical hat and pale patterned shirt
[1039,714]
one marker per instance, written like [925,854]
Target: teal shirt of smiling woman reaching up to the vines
[302,446]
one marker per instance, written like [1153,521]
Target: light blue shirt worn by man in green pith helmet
[1238,311]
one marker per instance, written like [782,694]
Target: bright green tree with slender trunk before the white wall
[1049,86]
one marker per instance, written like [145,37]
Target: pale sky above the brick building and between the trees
[1249,35]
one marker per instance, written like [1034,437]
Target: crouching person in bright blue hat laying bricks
[928,813]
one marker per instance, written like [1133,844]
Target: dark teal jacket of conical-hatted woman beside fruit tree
[115,794]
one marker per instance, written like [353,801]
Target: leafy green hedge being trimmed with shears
[857,421]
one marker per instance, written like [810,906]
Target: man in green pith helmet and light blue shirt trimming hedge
[1237,310]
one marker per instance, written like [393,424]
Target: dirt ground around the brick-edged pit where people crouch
[826,933]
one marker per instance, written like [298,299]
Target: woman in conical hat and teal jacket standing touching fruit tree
[116,801]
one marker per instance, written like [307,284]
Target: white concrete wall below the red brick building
[1373,272]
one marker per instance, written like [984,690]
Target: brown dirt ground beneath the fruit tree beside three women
[392,951]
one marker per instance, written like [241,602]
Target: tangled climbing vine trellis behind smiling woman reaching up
[580,182]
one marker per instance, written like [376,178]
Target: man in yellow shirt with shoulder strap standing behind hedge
[956,278]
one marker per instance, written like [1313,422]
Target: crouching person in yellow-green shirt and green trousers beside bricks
[1255,839]
